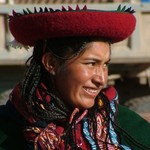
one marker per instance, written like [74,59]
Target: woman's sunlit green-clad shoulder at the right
[135,126]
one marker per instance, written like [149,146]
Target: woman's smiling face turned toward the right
[80,80]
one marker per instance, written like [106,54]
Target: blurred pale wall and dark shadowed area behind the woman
[130,67]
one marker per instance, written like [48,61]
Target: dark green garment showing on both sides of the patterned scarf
[132,123]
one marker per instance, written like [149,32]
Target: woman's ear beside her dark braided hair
[49,63]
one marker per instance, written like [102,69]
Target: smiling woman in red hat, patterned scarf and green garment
[63,101]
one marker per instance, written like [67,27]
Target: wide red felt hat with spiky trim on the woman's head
[29,27]
